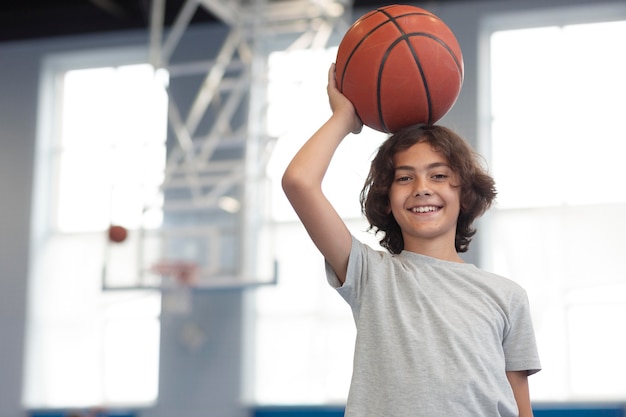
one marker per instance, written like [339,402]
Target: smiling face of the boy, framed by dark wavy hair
[424,199]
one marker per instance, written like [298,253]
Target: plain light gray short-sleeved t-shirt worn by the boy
[434,338]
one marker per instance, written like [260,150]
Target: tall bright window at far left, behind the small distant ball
[100,160]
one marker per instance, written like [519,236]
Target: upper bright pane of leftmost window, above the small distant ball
[111,157]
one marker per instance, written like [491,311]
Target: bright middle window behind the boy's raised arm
[304,330]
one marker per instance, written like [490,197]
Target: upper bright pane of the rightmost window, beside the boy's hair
[557,105]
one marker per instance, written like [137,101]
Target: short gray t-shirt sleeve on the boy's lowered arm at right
[520,346]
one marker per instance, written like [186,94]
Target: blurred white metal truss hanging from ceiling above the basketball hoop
[312,21]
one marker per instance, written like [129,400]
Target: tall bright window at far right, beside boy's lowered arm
[557,143]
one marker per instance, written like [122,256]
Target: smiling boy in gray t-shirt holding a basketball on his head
[435,336]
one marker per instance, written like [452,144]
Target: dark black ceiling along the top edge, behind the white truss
[35,19]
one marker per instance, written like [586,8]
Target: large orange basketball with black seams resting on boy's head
[399,65]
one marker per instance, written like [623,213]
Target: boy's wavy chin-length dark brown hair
[477,186]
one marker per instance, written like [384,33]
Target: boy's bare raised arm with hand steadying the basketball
[302,181]
